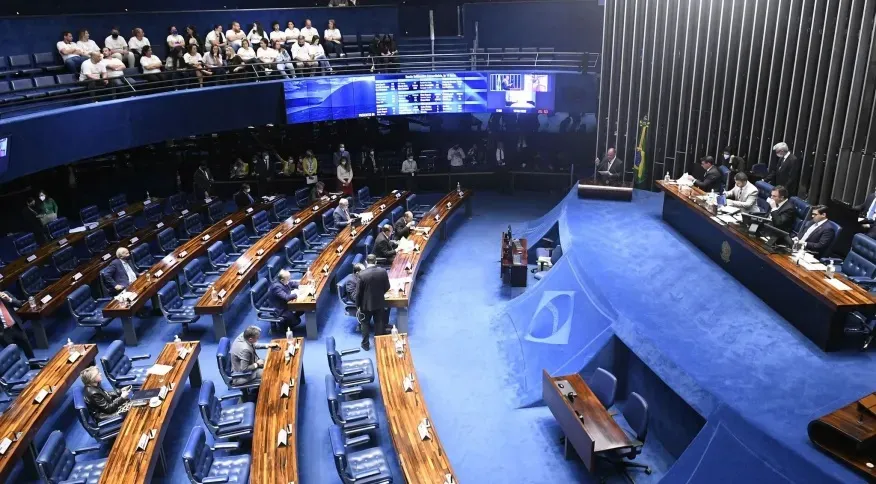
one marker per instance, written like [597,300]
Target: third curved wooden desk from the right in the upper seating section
[247,266]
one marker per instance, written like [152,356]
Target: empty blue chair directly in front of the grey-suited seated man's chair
[224,420]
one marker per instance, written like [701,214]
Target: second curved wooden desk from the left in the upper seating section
[87,271]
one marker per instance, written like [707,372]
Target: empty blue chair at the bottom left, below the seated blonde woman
[57,464]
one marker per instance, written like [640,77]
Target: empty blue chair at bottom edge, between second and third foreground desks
[204,467]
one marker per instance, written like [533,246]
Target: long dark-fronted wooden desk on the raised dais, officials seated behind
[802,297]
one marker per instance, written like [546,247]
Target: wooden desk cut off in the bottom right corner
[849,434]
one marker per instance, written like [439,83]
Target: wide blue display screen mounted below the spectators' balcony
[328,98]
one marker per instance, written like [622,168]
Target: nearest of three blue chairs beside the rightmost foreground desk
[365,466]
